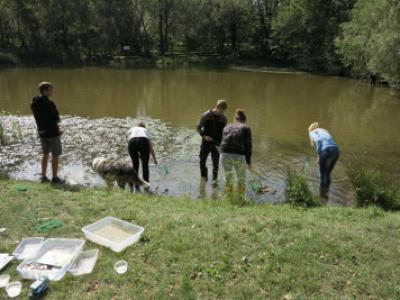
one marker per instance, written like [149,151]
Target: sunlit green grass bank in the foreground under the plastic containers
[213,250]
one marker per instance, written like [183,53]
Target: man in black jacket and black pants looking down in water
[210,127]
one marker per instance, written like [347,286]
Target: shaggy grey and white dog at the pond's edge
[118,171]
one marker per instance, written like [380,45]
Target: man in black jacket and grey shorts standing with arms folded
[47,120]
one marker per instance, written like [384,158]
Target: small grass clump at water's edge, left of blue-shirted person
[298,190]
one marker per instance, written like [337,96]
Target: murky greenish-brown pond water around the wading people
[364,120]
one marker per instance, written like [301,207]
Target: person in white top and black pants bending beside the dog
[141,147]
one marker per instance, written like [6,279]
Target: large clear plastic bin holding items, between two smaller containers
[53,259]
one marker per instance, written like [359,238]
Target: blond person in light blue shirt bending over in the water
[328,155]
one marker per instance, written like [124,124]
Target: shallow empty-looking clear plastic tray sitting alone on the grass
[113,233]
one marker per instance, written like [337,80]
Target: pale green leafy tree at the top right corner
[370,40]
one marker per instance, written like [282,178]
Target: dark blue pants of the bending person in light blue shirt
[327,161]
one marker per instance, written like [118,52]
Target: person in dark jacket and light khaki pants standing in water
[236,149]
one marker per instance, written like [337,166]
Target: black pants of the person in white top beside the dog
[140,147]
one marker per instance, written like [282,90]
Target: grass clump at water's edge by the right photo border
[373,188]
